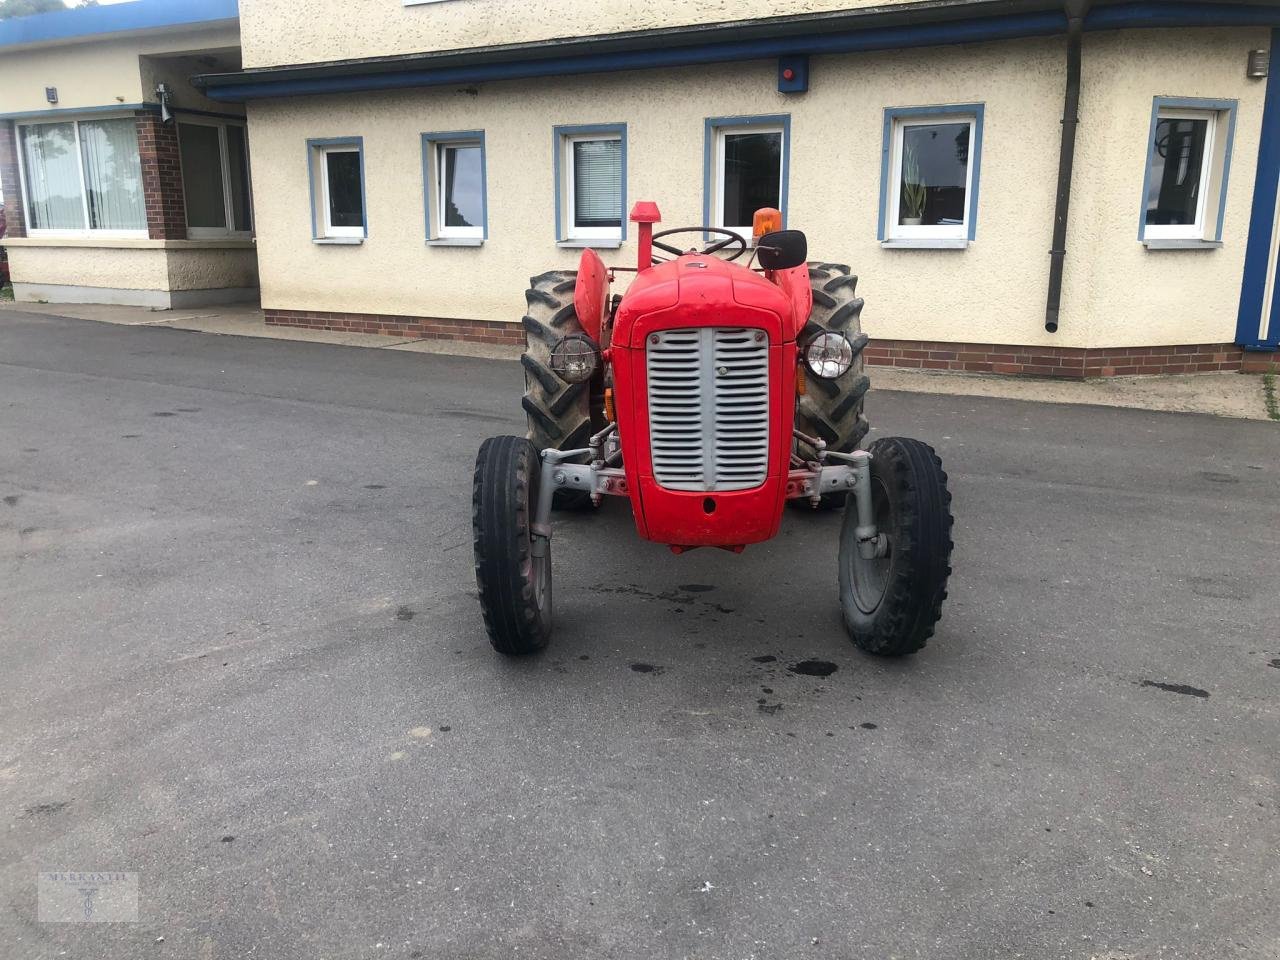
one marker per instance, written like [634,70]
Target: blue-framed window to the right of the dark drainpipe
[1188,156]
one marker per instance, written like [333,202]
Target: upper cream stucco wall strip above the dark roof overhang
[314,31]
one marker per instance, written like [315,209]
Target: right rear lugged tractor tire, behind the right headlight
[833,410]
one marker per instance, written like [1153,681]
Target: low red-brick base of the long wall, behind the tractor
[1071,363]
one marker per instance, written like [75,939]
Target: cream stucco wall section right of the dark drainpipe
[1123,292]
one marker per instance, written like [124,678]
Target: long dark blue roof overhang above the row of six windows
[925,24]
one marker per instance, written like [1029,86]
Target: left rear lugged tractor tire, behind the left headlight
[559,414]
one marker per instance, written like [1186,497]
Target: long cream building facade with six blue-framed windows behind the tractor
[415,162]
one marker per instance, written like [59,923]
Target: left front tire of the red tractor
[515,587]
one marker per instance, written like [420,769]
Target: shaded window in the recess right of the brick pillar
[216,179]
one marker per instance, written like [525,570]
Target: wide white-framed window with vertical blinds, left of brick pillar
[84,176]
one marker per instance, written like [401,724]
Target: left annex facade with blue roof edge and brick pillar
[122,184]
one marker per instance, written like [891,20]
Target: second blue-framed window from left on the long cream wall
[454,180]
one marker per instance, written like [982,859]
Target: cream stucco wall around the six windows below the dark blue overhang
[1116,292]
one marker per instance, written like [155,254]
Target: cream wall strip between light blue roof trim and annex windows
[98,74]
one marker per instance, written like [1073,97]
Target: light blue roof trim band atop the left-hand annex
[115,19]
